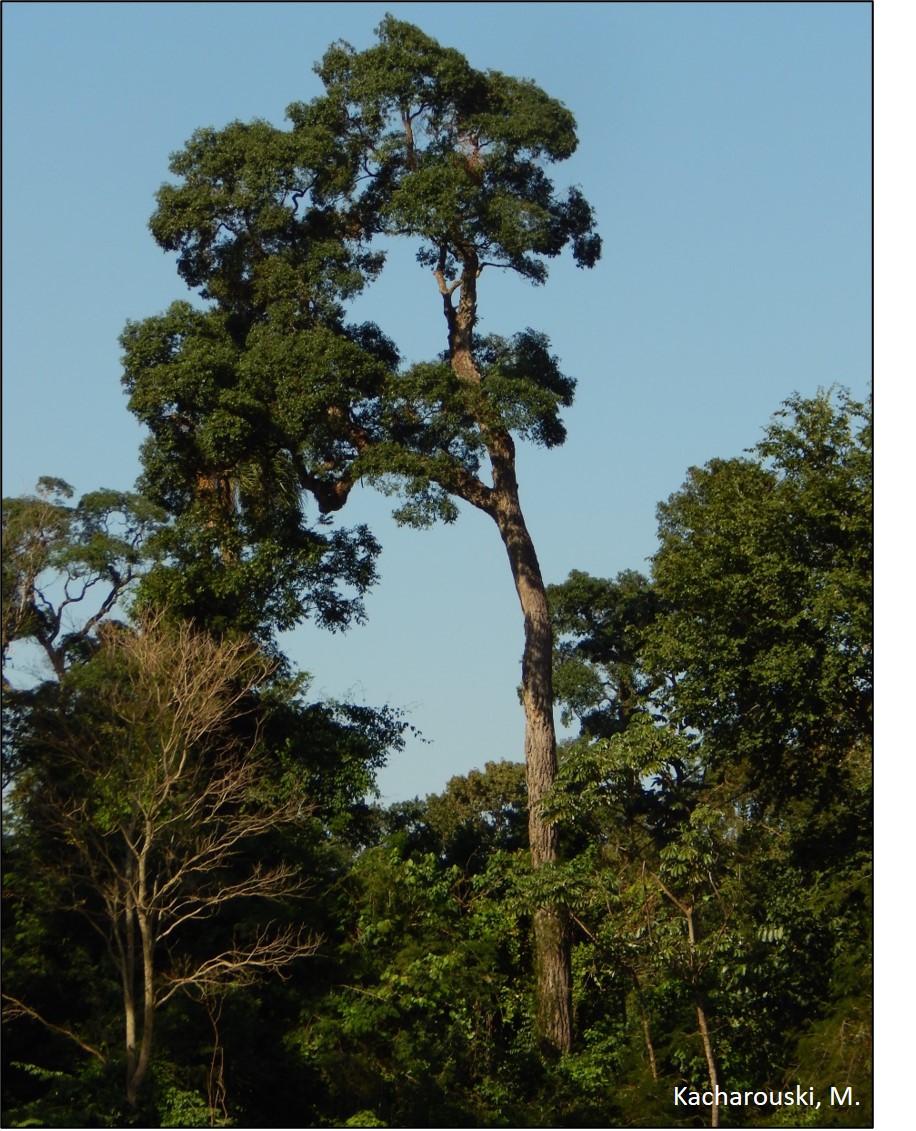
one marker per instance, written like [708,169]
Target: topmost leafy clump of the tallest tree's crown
[437,150]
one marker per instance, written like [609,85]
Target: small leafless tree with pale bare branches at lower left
[149,790]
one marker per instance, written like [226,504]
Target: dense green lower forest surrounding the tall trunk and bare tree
[716,865]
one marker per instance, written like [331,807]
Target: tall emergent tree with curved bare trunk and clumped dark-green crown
[270,395]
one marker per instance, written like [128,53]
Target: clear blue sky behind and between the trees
[727,149]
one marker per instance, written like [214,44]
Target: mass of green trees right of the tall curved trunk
[725,806]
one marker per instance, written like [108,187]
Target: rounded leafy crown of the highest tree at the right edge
[771,631]
